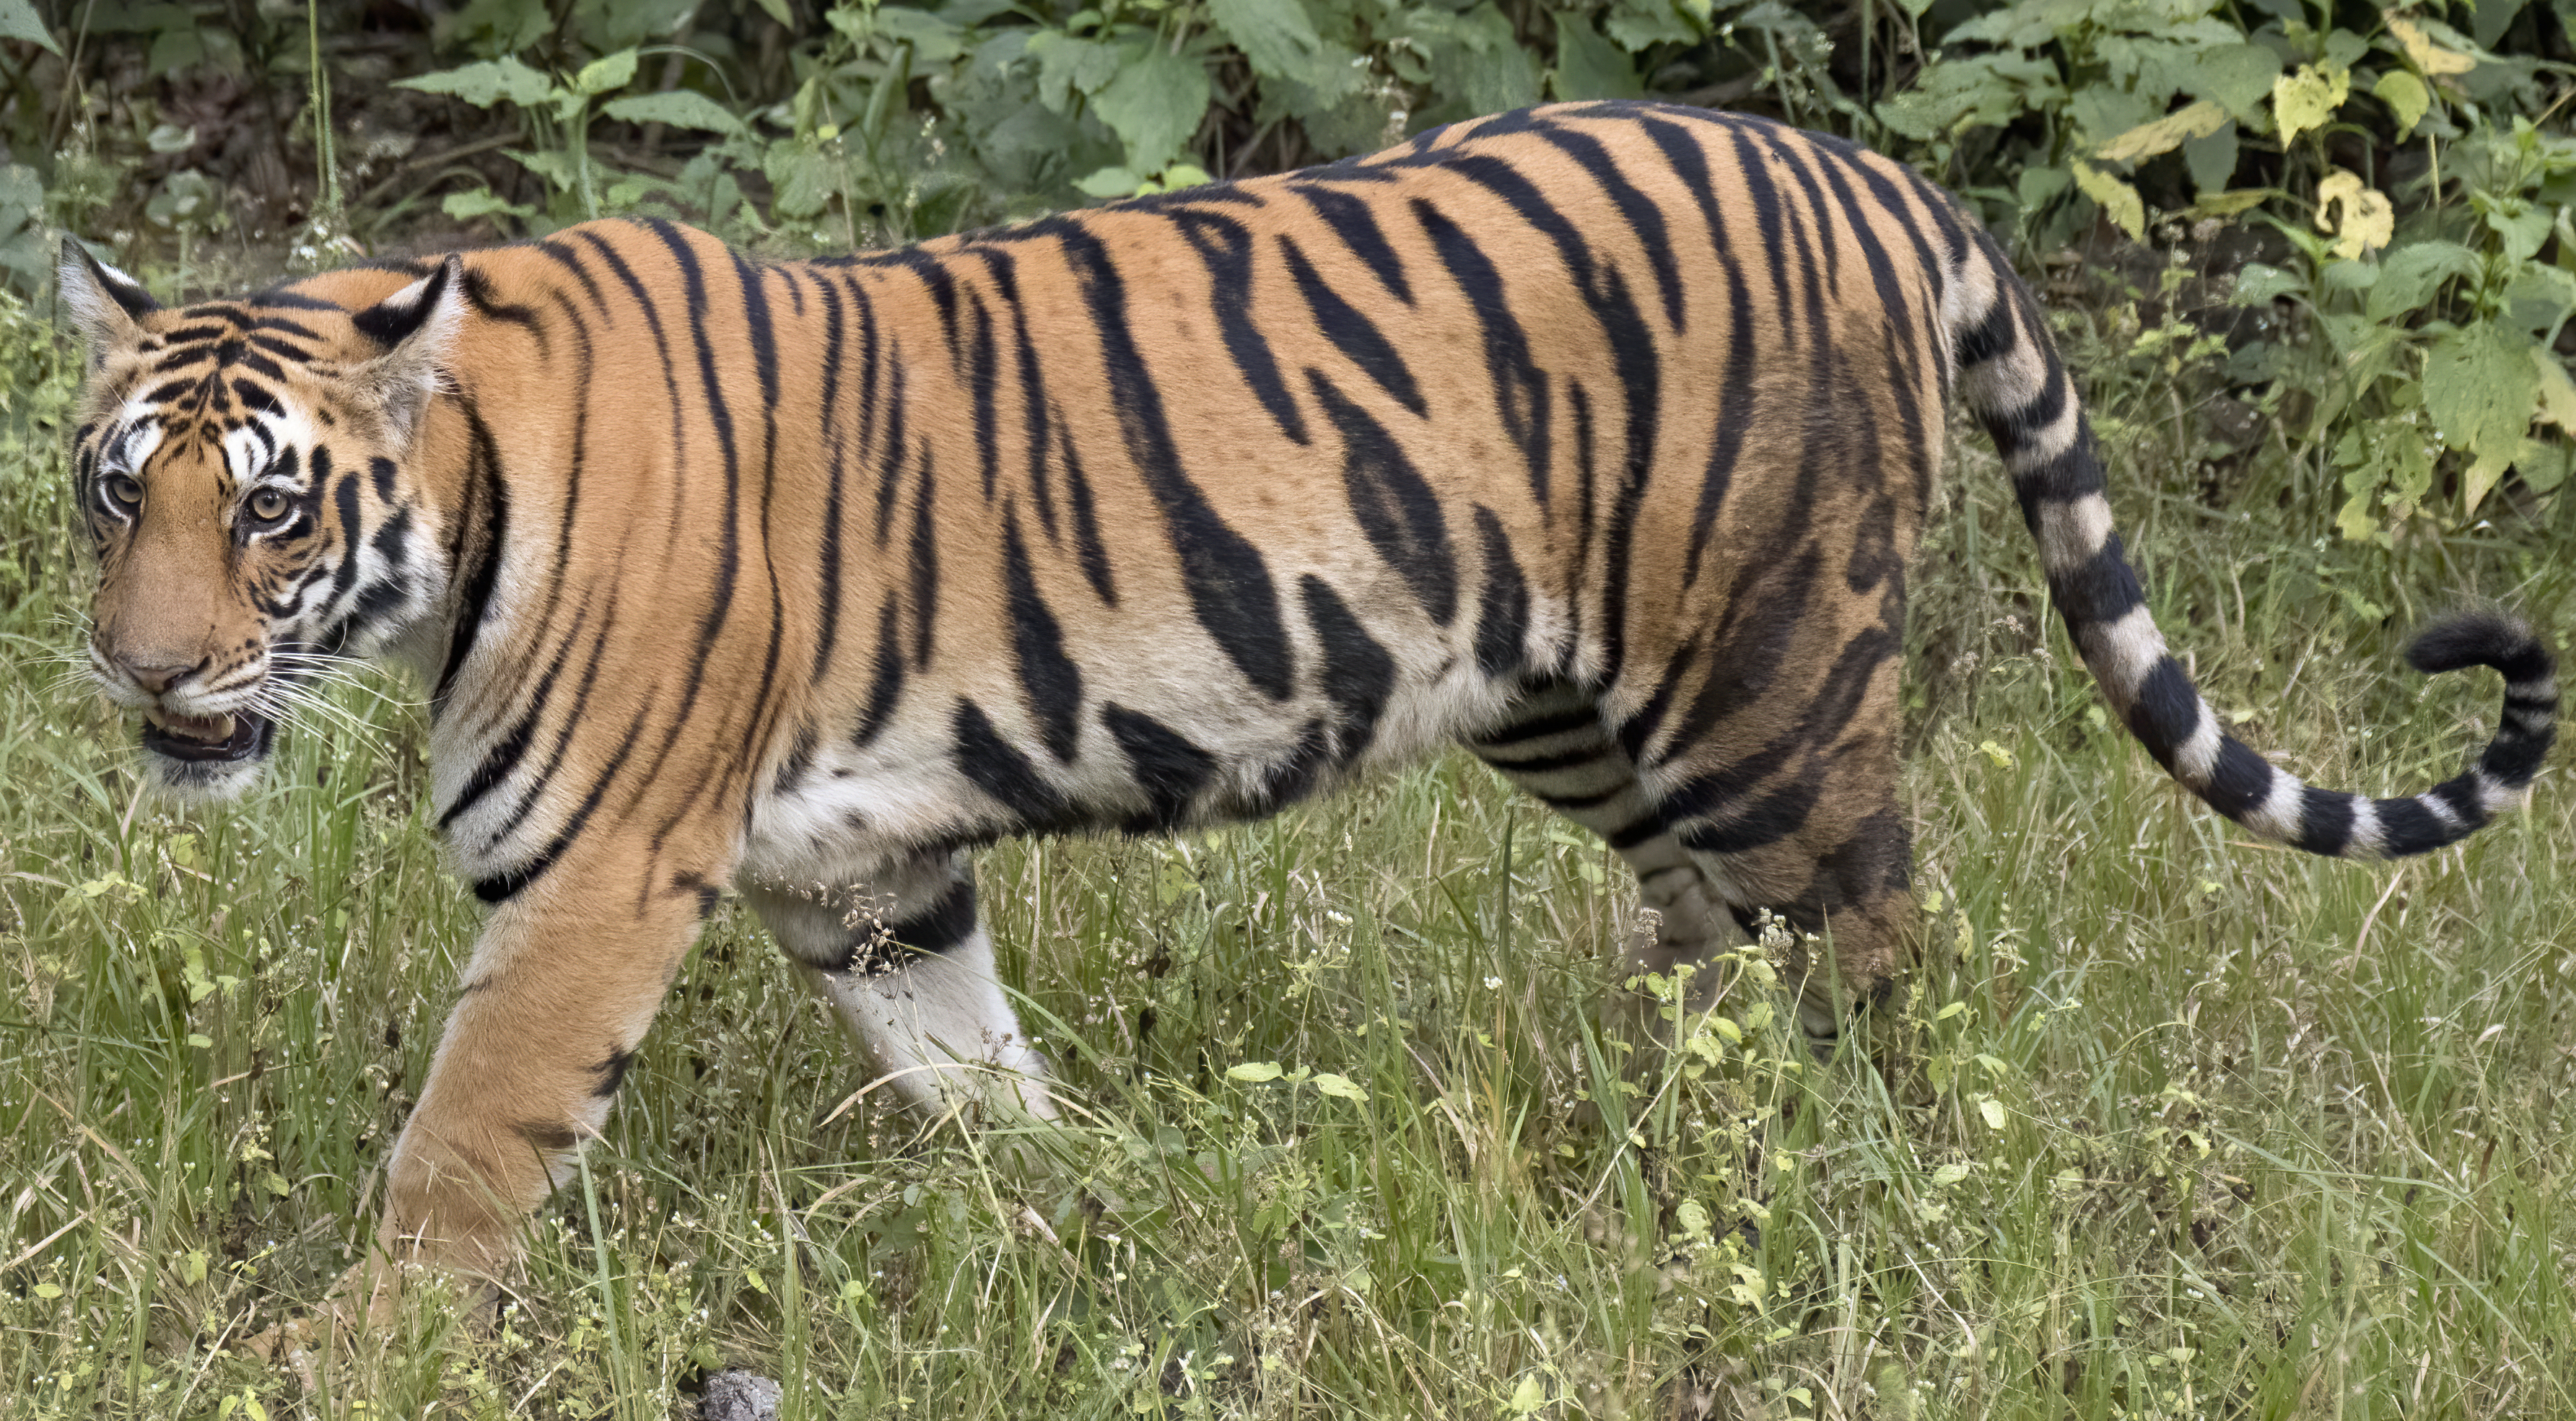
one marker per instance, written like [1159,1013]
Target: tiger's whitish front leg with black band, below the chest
[905,961]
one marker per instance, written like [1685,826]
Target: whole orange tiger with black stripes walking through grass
[1591,436]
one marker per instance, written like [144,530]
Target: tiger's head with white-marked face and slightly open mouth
[249,475]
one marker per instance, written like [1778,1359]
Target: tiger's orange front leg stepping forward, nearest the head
[550,1010]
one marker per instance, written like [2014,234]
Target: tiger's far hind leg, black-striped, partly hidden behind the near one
[1557,748]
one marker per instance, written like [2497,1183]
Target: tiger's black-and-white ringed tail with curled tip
[2016,385]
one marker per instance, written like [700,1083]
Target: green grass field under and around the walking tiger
[2183,1126]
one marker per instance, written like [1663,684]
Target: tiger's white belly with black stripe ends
[1160,743]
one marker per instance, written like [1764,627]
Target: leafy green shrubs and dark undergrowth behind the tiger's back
[2397,179]
